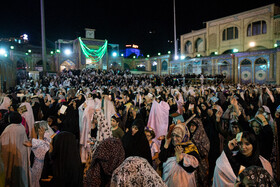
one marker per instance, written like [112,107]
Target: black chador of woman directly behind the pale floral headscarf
[138,144]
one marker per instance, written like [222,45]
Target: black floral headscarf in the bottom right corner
[257,176]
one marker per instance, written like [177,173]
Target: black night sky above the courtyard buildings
[147,23]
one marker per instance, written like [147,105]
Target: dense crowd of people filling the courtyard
[112,128]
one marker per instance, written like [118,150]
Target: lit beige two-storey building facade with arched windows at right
[243,46]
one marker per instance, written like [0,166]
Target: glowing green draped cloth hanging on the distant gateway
[94,54]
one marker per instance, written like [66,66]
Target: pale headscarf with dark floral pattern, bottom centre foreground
[136,172]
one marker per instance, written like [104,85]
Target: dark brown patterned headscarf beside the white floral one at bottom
[107,157]
